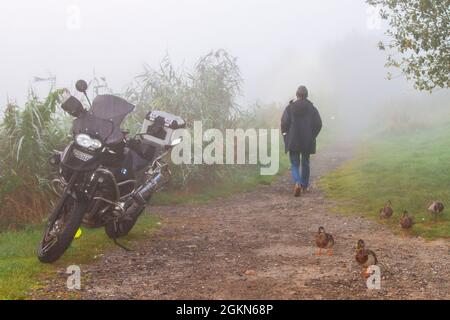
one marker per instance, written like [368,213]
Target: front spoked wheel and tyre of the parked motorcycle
[61,230]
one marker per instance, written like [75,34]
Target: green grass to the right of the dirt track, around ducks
[411,169]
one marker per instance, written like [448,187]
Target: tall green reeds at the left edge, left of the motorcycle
[29,134]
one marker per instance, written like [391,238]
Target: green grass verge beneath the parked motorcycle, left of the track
[20,271]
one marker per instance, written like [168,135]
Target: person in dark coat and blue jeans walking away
[300,125]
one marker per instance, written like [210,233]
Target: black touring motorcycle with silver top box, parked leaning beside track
[105,179]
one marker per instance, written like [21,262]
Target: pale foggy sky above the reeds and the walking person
[329,46]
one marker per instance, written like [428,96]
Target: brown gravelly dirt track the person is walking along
[260,245]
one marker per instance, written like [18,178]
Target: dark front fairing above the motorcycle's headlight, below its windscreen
[97,128]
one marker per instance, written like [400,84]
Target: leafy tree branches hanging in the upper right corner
[419,40]
